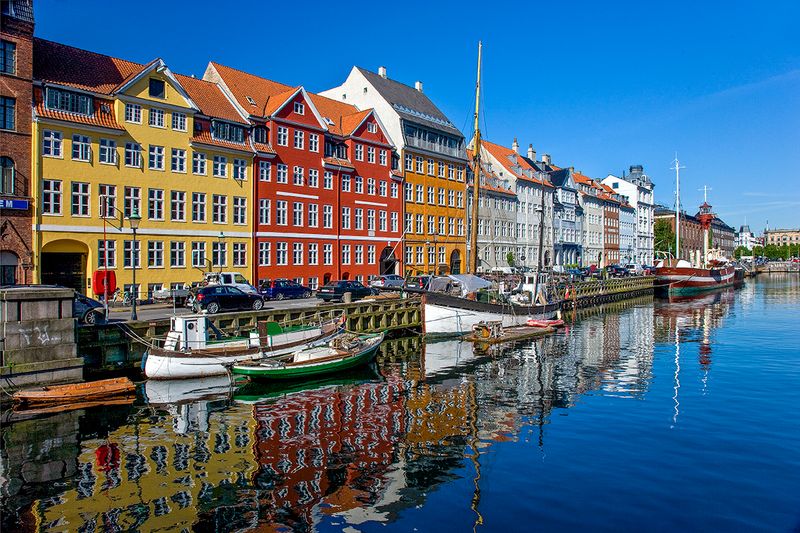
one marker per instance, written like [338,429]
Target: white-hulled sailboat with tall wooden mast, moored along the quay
[444,314]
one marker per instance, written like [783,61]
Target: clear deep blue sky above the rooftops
[598,85]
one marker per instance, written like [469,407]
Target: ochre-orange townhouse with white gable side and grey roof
[433,158]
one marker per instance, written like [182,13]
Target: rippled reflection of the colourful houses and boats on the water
[359,448]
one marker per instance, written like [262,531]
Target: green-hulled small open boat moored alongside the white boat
[341,353]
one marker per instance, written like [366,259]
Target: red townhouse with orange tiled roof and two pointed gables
[329,204]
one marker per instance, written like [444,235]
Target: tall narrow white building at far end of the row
[639,190]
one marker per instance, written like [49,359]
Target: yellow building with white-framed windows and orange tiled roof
[115,139]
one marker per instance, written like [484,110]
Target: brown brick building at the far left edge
[16,87]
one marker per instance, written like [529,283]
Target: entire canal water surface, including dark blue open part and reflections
[644,415]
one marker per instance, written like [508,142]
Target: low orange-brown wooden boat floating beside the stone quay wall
[76,392]
